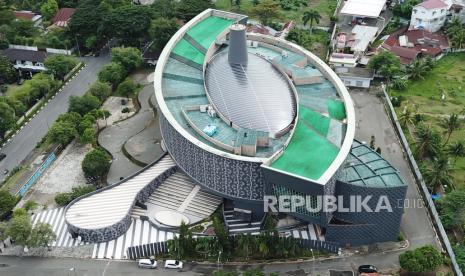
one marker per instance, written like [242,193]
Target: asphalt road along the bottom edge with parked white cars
[17,266]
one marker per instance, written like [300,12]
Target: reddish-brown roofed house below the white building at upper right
[410,44]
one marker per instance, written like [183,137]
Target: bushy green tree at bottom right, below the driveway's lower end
[423,259]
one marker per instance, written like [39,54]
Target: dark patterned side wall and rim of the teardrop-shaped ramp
[114,231]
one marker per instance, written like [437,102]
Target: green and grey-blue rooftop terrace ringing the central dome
[316,137]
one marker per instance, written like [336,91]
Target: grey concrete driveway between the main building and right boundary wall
[373,120]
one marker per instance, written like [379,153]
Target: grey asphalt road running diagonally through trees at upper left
[26,139]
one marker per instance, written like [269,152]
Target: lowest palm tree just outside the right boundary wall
[440,173]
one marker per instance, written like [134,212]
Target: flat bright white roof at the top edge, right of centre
[363,8]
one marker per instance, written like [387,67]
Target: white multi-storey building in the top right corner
[429,15]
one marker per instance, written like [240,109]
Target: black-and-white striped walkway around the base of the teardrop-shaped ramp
[140,232]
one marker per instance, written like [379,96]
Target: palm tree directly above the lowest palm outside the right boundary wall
[427,141]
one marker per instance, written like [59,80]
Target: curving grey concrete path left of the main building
[113,137]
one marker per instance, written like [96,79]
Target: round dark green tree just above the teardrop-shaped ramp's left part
[96,163]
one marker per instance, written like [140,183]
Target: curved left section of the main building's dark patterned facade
[226,177]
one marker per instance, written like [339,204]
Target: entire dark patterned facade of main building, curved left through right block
[247,182]
